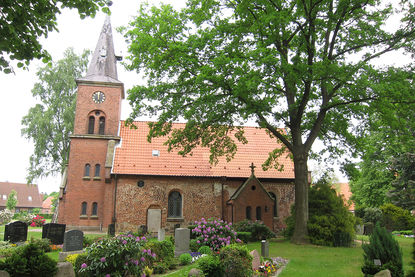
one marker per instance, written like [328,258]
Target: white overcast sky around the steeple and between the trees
[16,88]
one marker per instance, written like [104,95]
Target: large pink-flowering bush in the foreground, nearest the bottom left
[118,256]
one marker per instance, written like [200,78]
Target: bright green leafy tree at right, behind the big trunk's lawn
[384,138]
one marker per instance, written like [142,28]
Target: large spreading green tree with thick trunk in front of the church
[288,65]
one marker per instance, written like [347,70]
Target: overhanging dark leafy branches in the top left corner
[23,22]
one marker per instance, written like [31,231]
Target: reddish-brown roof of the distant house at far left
[28,195]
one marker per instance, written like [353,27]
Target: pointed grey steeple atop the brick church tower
[103,66]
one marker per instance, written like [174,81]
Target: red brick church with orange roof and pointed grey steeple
[115,176]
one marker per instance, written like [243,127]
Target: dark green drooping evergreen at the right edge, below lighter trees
[403,187]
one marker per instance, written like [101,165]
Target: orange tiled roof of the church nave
[134,156]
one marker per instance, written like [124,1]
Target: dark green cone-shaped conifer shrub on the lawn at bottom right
[385,248]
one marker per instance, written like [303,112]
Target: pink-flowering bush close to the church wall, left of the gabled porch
[214,233]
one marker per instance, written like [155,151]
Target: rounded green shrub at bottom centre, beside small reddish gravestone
[236,261]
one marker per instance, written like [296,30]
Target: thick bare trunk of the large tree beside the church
[301,198]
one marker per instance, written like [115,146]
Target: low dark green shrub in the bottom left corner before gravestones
[29,260]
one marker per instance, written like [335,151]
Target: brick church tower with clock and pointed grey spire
[87,192]
